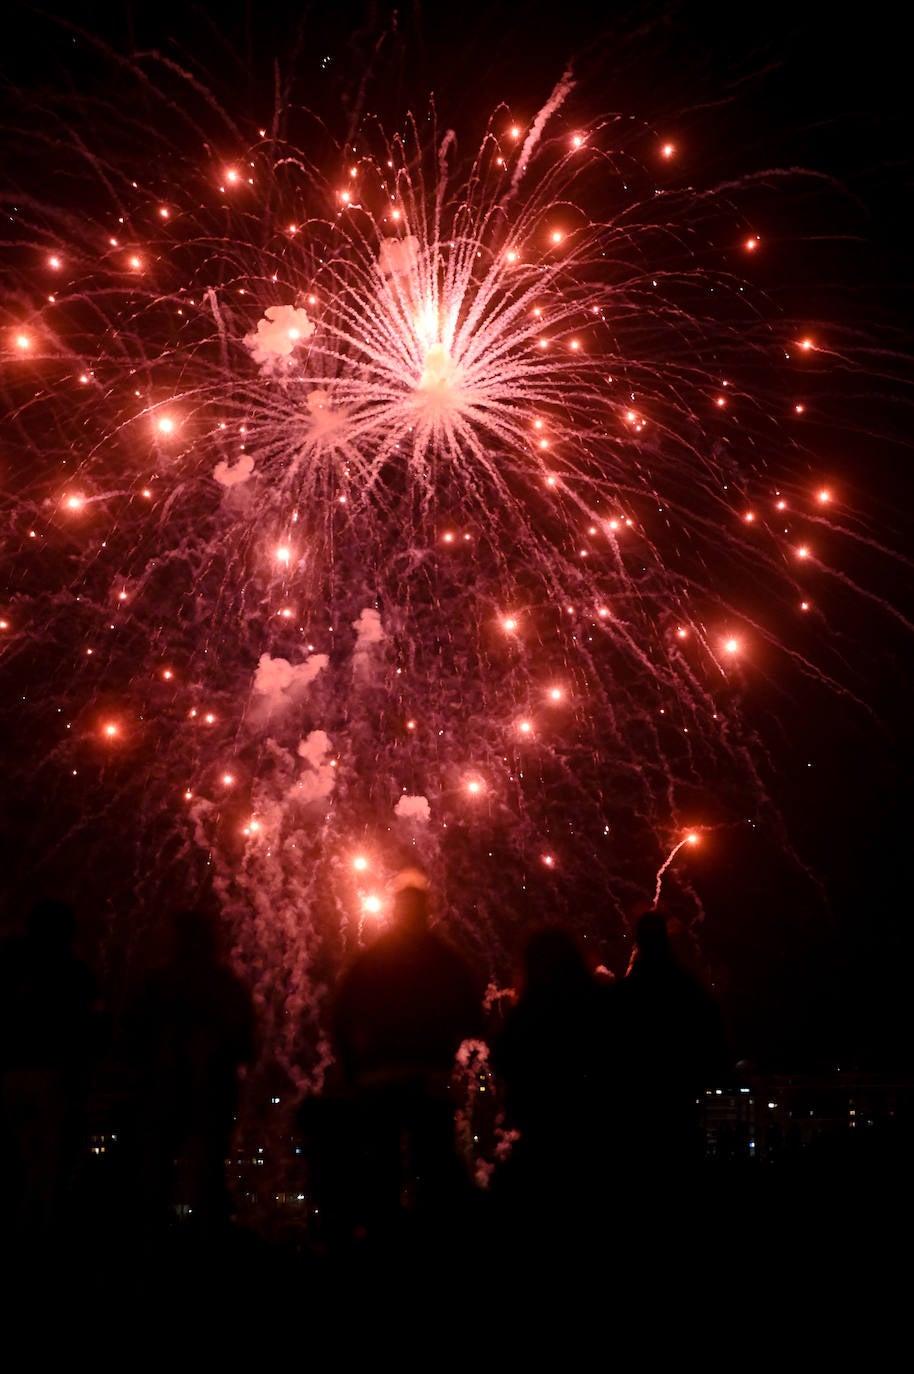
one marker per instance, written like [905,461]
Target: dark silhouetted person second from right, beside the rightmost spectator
[553,1063]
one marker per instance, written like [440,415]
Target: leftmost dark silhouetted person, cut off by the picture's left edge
[50,1022]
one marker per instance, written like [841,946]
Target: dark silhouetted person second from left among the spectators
[189,1034]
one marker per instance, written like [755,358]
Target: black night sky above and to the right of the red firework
[758,87]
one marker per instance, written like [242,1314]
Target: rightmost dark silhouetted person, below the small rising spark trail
[673,1049]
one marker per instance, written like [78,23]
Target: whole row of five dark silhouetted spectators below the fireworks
[597,1085]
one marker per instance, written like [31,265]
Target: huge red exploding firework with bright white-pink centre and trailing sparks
[369,505]
